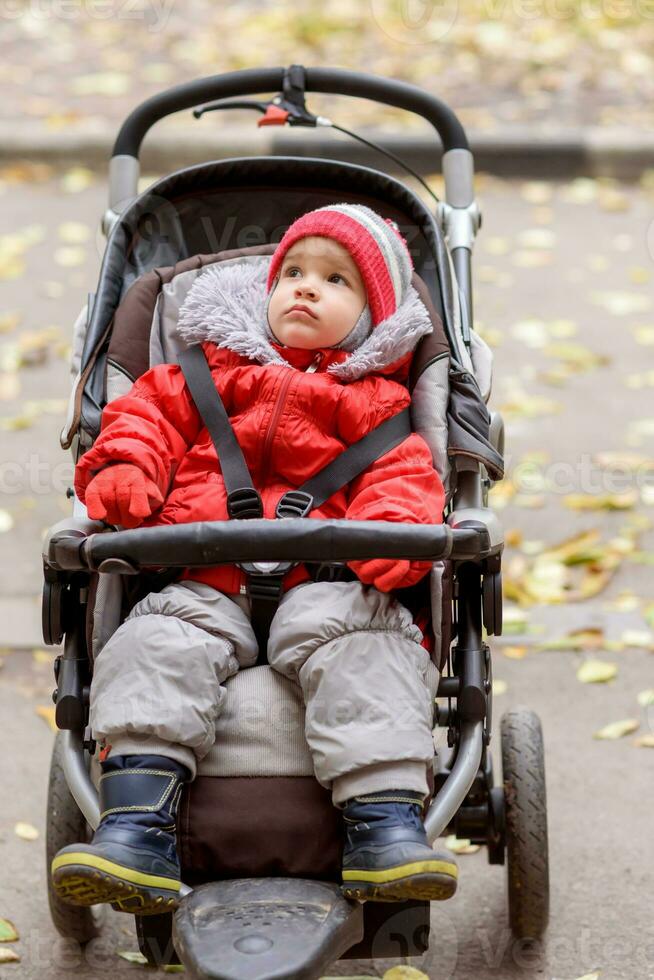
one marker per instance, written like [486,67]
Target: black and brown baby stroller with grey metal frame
[259,840]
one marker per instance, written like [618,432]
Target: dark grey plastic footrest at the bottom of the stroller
[265,928]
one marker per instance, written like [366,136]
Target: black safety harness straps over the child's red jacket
[244,500]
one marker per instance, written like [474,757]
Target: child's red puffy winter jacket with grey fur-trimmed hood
[289,423]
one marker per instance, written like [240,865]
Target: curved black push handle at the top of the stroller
[254,81]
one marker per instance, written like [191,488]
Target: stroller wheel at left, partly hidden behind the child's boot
[66,824]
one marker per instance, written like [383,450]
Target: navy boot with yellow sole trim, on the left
[132,860]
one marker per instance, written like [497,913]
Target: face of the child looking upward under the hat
[321,275]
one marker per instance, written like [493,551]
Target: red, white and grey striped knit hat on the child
[375,244]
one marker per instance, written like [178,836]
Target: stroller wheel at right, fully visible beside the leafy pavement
[523,768]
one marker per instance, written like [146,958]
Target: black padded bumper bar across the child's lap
[77,546]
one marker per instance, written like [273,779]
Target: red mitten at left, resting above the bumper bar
[122,494]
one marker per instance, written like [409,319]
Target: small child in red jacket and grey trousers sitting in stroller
[306,362]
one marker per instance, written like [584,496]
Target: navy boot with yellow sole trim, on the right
[387,857]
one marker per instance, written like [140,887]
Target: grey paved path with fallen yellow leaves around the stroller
[539,262]
